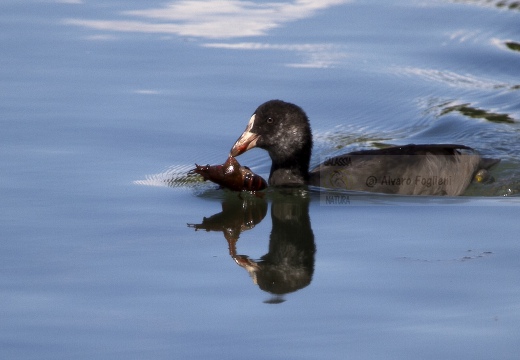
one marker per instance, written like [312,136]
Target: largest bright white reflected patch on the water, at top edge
[211,19]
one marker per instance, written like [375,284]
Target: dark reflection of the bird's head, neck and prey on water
[288,265]
